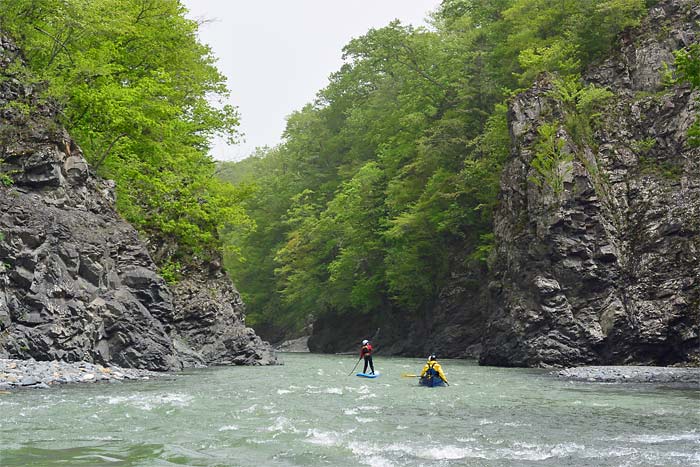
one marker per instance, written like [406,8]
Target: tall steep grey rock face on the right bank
[607,268]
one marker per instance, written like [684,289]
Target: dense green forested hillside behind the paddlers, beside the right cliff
[385,186]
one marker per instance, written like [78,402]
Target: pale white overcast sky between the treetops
[277,54]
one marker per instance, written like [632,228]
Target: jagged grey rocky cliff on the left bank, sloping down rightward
[76,281]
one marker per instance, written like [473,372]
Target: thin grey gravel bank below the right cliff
[633,374]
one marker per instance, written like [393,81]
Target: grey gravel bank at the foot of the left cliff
[42,375]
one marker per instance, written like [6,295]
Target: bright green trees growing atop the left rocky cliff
[135,85]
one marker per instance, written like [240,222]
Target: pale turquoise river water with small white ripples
[309,412]
